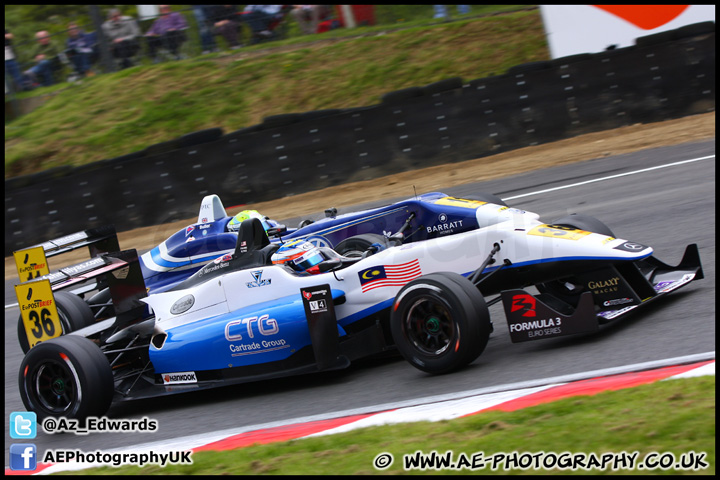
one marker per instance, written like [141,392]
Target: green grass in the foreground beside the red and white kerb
[663,421]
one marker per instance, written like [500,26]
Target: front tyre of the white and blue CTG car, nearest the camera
[440,322]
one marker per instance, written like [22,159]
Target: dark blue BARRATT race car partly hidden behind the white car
[214,234]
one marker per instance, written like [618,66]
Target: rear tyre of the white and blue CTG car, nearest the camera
[68,377]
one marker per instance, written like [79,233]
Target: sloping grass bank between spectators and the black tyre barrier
[114,114]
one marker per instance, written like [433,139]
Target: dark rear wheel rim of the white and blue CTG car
[55,387]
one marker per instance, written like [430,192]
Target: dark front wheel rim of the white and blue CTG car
[429,326]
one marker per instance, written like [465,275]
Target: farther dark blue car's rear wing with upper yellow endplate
[32,262]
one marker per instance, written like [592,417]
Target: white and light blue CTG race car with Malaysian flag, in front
[253,314]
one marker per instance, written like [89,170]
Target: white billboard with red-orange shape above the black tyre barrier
[573,29]
